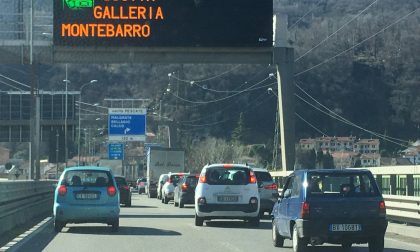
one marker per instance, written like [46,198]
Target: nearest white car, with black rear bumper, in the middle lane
[227,191]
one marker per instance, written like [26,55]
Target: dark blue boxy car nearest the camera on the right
[330,206]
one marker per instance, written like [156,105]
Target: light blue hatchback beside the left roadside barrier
[87,194]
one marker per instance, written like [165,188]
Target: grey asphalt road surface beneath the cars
[152,226]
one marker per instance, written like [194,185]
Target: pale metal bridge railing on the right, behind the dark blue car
[400,186]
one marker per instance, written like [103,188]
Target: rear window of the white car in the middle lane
[227,176]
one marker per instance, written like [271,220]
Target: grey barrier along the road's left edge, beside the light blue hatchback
[21,201]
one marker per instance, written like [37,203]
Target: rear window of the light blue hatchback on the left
[87,178]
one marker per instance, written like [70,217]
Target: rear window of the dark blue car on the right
[342,184]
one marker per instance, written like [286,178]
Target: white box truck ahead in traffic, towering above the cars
[162,160]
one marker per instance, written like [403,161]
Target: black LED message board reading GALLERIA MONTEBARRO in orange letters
[163,23]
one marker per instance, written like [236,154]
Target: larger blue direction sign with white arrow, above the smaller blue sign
[125,124]
